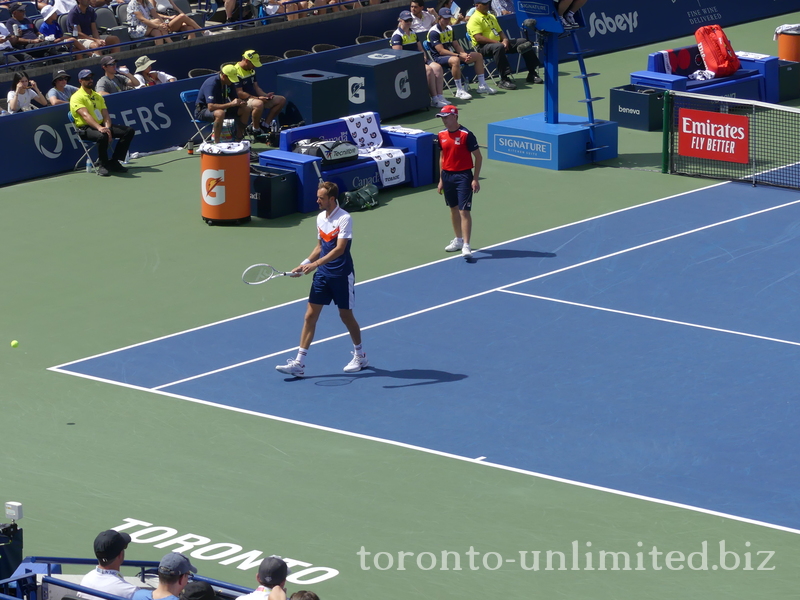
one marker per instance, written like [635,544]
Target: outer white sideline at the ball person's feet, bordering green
[58,368]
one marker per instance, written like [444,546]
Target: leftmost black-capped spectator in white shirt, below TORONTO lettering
[109,546]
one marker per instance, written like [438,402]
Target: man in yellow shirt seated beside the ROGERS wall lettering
[93,123]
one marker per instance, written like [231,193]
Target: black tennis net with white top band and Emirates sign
[731,139]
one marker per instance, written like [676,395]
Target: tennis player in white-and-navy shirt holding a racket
[333,281]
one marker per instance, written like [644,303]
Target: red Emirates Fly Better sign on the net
[716,136]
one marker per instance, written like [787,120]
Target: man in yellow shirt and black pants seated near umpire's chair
[490,41]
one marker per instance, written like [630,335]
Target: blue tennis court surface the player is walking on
[651,351]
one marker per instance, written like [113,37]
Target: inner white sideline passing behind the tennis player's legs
[483,293]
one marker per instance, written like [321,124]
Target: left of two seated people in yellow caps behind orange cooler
[218,100]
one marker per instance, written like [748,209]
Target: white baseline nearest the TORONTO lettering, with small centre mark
[476,461]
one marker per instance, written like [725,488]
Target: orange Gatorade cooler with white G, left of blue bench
[225,183]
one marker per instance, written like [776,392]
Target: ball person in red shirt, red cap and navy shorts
[457,180]
